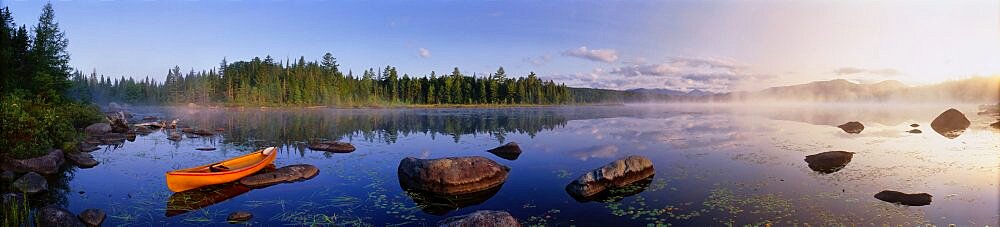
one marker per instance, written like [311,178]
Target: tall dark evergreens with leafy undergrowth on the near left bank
[35,114]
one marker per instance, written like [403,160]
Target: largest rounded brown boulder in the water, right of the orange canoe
[451,176]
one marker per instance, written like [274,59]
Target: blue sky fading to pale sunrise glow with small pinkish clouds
[711,45]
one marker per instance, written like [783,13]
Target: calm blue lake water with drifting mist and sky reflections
[715,165]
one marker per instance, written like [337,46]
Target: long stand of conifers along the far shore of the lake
[269,82]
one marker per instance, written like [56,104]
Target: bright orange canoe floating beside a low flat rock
[221,172]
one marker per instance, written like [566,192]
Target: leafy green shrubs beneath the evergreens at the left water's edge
[29,129]
